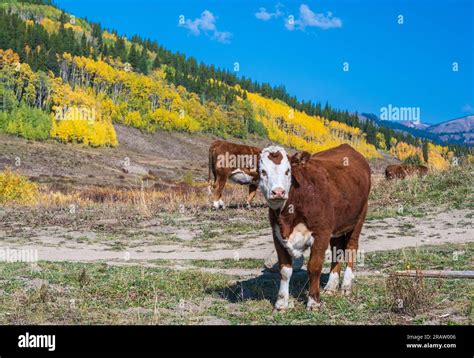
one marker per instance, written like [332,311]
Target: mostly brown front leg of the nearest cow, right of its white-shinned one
[315,266]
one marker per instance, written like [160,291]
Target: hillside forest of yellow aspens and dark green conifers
[68,79]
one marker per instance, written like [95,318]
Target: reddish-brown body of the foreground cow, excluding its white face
[327,200]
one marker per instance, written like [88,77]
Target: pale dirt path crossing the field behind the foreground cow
[455,226]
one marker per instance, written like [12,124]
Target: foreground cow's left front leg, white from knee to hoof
[285,264]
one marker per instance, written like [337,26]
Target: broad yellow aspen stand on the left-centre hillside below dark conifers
[150,102]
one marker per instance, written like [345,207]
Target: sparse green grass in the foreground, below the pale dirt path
[95,293]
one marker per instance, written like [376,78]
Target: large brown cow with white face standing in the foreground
[315,201]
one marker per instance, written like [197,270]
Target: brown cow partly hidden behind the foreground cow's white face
[232,161]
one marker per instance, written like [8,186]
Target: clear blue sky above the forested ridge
[405,65]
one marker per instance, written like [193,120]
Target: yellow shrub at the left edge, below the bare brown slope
[15,188]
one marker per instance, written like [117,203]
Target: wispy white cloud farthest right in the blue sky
[307,18]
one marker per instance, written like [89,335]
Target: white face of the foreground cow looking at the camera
[275,176]
